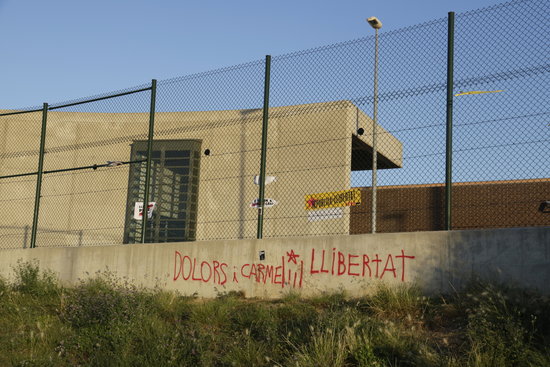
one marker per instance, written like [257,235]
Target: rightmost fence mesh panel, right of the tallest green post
[501,139]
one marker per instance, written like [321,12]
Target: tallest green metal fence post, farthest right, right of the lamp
[449,131]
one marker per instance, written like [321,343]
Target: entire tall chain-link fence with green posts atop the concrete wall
[456,129]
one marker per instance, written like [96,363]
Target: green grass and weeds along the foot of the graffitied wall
[107,322]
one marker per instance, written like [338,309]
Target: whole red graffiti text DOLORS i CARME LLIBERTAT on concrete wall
[289,272]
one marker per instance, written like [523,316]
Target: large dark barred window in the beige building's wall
[175,166]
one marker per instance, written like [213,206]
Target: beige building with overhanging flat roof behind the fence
[204,165]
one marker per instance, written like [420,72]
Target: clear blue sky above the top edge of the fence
[58,50]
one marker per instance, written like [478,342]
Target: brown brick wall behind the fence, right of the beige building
[498,204]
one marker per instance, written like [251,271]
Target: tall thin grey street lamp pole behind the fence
[376,24]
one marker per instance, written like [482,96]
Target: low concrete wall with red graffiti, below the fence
[437,261]
